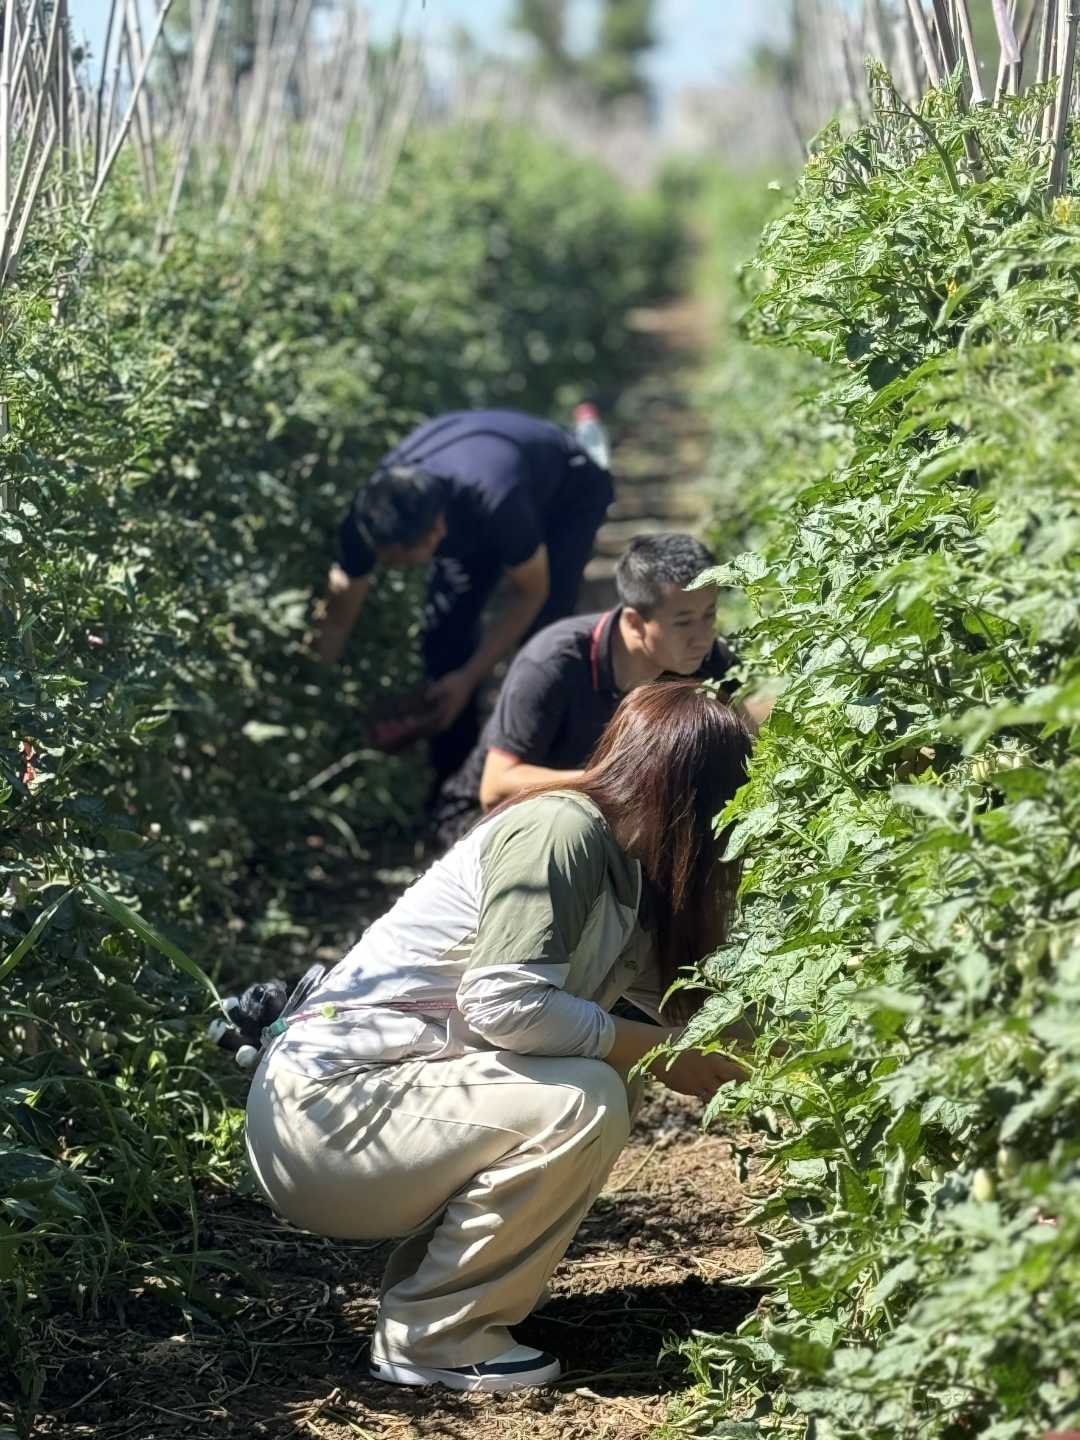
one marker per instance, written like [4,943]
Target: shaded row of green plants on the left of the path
[186,430]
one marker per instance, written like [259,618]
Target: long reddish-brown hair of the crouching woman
[665,768]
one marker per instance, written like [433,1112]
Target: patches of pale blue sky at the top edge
[701,40]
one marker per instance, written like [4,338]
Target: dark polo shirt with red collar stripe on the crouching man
[558,698]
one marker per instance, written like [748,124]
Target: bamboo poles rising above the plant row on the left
[307,103]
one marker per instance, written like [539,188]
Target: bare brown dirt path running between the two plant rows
[279,1349]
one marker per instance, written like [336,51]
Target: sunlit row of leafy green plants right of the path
[911,833]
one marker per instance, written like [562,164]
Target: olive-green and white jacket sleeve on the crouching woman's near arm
[542,872]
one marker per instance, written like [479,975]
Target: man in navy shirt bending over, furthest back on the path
[477,495]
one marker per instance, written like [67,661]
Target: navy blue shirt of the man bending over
[508,476]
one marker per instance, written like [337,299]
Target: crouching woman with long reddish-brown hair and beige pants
[459,1079]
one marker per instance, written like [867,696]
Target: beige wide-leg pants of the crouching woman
[487,1164]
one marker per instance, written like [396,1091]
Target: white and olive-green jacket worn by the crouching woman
[522,940]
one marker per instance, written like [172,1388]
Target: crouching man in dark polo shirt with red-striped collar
[567,683]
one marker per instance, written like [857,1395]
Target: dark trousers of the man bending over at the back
[459,593]
